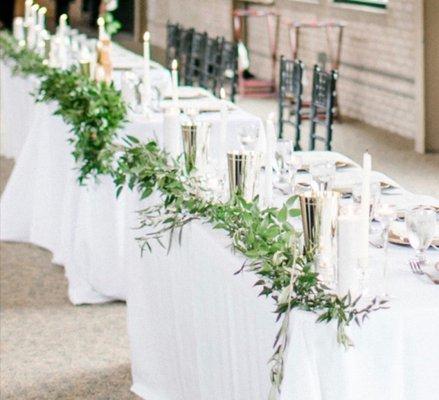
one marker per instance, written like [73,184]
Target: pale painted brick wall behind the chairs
[377,75]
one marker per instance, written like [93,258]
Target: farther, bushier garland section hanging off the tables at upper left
[94,111]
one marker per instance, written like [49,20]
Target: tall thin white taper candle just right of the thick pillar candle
[365,209]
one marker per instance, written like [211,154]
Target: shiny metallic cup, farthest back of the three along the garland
[196,136]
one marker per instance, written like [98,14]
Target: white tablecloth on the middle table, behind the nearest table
[43,204]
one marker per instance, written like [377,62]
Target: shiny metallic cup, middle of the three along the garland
[243,169]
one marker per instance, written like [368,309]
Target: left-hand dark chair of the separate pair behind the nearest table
[290,97]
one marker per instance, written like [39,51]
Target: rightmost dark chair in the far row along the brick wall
[227,68]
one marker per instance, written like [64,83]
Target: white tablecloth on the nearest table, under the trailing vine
[198,331]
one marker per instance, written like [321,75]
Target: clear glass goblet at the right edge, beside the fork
[421,226]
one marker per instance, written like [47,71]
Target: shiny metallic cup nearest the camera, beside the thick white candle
[319,219]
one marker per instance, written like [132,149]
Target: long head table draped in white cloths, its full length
[196,330]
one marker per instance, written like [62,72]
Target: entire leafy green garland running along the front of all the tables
[271,245]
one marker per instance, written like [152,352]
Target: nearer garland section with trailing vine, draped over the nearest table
[266,237]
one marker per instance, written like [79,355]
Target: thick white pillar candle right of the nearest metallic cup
[349,221]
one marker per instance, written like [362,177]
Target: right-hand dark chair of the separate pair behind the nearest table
[322,106]
